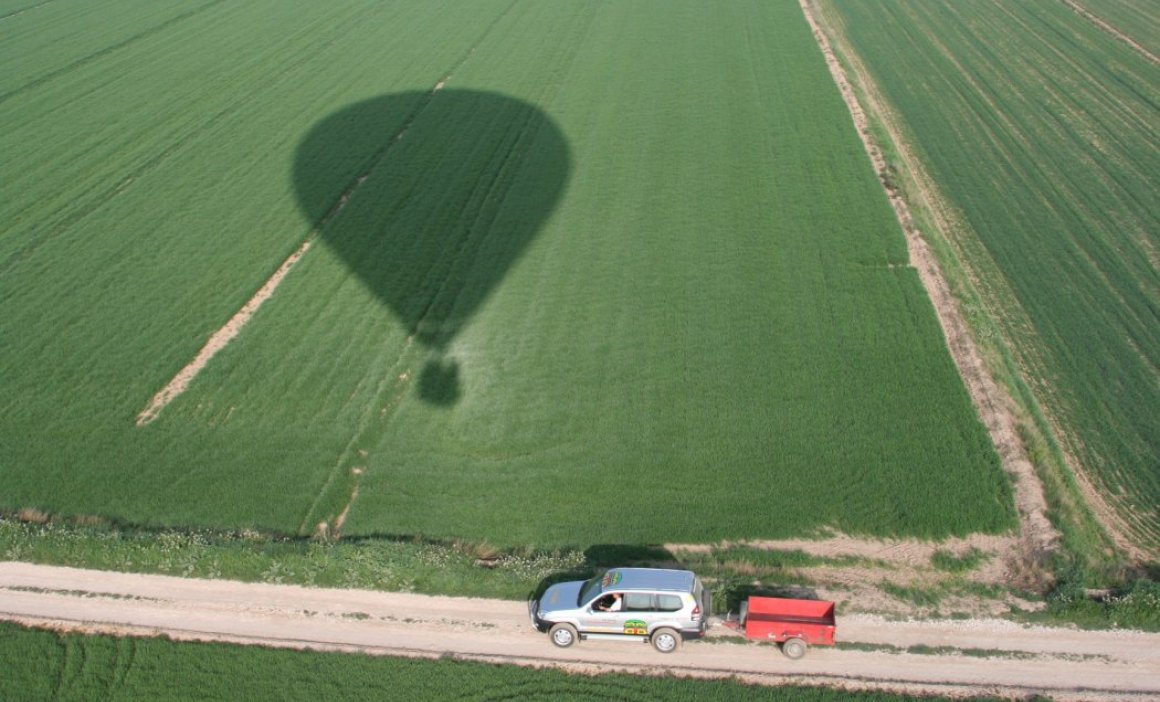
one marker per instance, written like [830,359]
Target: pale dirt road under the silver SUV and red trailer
[970,657]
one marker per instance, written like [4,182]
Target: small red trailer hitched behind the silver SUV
[794,624]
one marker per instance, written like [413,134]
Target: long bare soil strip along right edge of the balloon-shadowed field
[992,402]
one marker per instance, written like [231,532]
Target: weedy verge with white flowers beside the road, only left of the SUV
[386,565]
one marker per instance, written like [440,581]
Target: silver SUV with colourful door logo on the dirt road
[626,604]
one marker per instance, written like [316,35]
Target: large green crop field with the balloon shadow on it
[627,278]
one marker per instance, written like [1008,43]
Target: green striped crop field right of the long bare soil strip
[1042,129]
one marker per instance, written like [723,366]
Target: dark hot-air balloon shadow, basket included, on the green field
[430,198]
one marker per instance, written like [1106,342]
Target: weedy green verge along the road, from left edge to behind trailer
[381,563]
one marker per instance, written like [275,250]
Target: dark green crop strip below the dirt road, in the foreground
[45,665]
